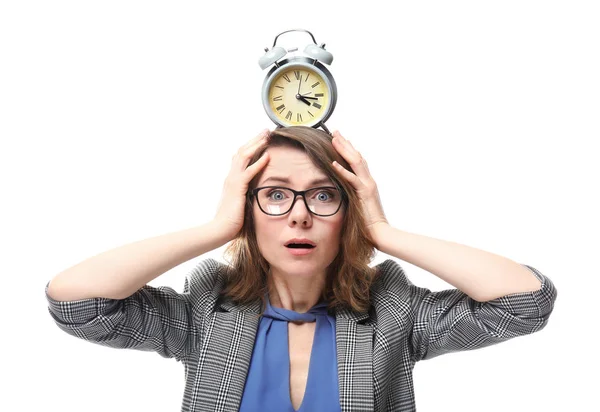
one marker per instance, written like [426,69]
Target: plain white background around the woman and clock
[479,122]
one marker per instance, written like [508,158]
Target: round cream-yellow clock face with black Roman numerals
[298,96]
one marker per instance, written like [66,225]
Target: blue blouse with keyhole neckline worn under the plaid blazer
[268,382]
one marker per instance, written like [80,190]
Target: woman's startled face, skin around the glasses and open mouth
[272,232]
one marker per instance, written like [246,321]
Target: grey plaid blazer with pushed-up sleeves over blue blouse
[376,351]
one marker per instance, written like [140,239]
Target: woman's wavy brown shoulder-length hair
[349,277]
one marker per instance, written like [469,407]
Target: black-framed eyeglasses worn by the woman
[278,200]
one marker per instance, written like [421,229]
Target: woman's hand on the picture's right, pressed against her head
[362,181]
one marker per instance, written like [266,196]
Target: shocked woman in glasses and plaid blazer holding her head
[286,326]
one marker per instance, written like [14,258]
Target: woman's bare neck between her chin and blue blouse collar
[297,293]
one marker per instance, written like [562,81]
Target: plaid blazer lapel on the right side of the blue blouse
[354,342]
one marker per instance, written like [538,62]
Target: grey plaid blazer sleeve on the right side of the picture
[450,321]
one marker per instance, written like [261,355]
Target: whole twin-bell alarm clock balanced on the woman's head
[298,91]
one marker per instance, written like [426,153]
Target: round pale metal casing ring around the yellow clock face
[312,64]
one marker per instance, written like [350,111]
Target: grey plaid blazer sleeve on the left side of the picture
[152,319]
